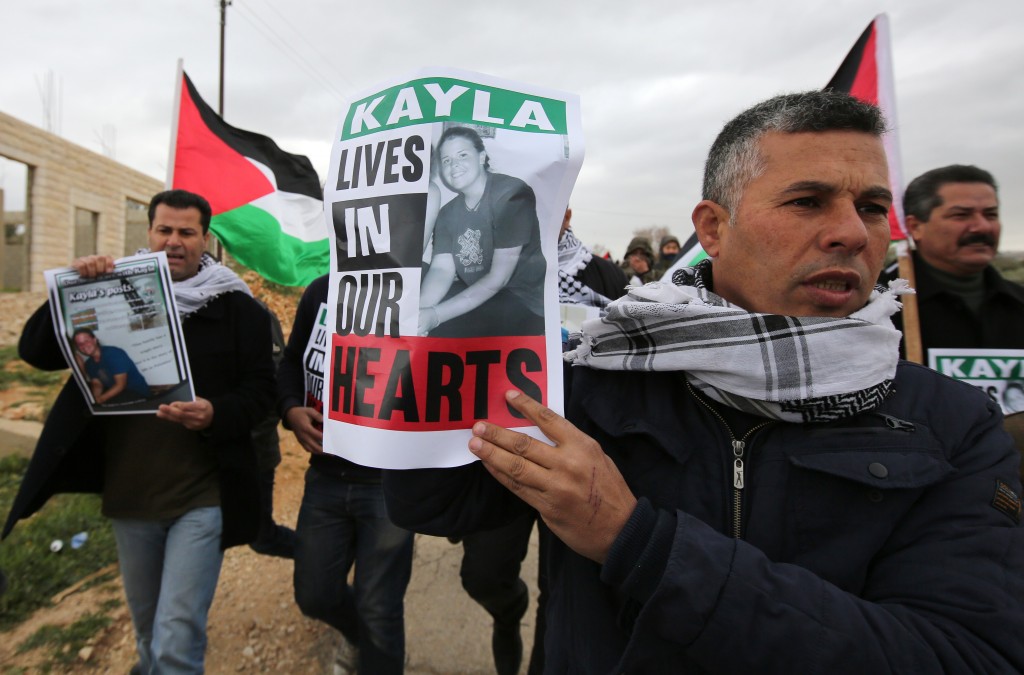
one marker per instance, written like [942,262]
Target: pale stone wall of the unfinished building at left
[64,178]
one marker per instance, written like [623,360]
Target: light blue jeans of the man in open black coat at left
[170,571]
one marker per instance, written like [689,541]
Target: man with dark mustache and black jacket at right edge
[953,214]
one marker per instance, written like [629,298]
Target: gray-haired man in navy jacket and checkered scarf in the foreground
[749,481]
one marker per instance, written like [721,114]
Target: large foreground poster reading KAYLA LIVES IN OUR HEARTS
[444,201]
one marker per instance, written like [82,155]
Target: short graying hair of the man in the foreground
[735,158]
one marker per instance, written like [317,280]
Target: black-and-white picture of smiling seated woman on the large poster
[487,271]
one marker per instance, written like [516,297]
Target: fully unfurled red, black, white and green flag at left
[268,204]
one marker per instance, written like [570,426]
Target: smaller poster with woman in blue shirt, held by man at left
[121,335]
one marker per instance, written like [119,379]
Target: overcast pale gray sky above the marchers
[657,79]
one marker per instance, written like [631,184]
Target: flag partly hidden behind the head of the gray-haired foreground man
[867,73]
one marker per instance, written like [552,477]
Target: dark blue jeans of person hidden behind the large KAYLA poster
[342,524]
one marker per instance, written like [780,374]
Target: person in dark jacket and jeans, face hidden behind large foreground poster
[343,522]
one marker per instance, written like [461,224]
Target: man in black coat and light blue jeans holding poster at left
[182,486]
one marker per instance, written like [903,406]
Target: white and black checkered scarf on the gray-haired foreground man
[796,369]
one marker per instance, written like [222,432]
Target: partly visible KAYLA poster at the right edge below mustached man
[1000,373]
